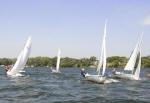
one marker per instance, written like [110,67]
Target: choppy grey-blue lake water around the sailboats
[41,86]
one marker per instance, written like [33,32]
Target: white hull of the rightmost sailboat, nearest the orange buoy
[126,76]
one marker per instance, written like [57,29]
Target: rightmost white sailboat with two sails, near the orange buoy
[134,74]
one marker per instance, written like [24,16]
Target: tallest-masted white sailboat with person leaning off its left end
[100,78]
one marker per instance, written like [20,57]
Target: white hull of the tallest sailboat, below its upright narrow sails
[95,78]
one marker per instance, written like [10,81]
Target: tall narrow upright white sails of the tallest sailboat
[102,60]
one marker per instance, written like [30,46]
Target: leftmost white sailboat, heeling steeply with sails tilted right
[21,60]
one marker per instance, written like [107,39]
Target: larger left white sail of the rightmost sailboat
[131,63]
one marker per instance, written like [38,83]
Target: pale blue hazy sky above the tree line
[74,26]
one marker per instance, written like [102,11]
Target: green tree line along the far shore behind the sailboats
[114,61]
